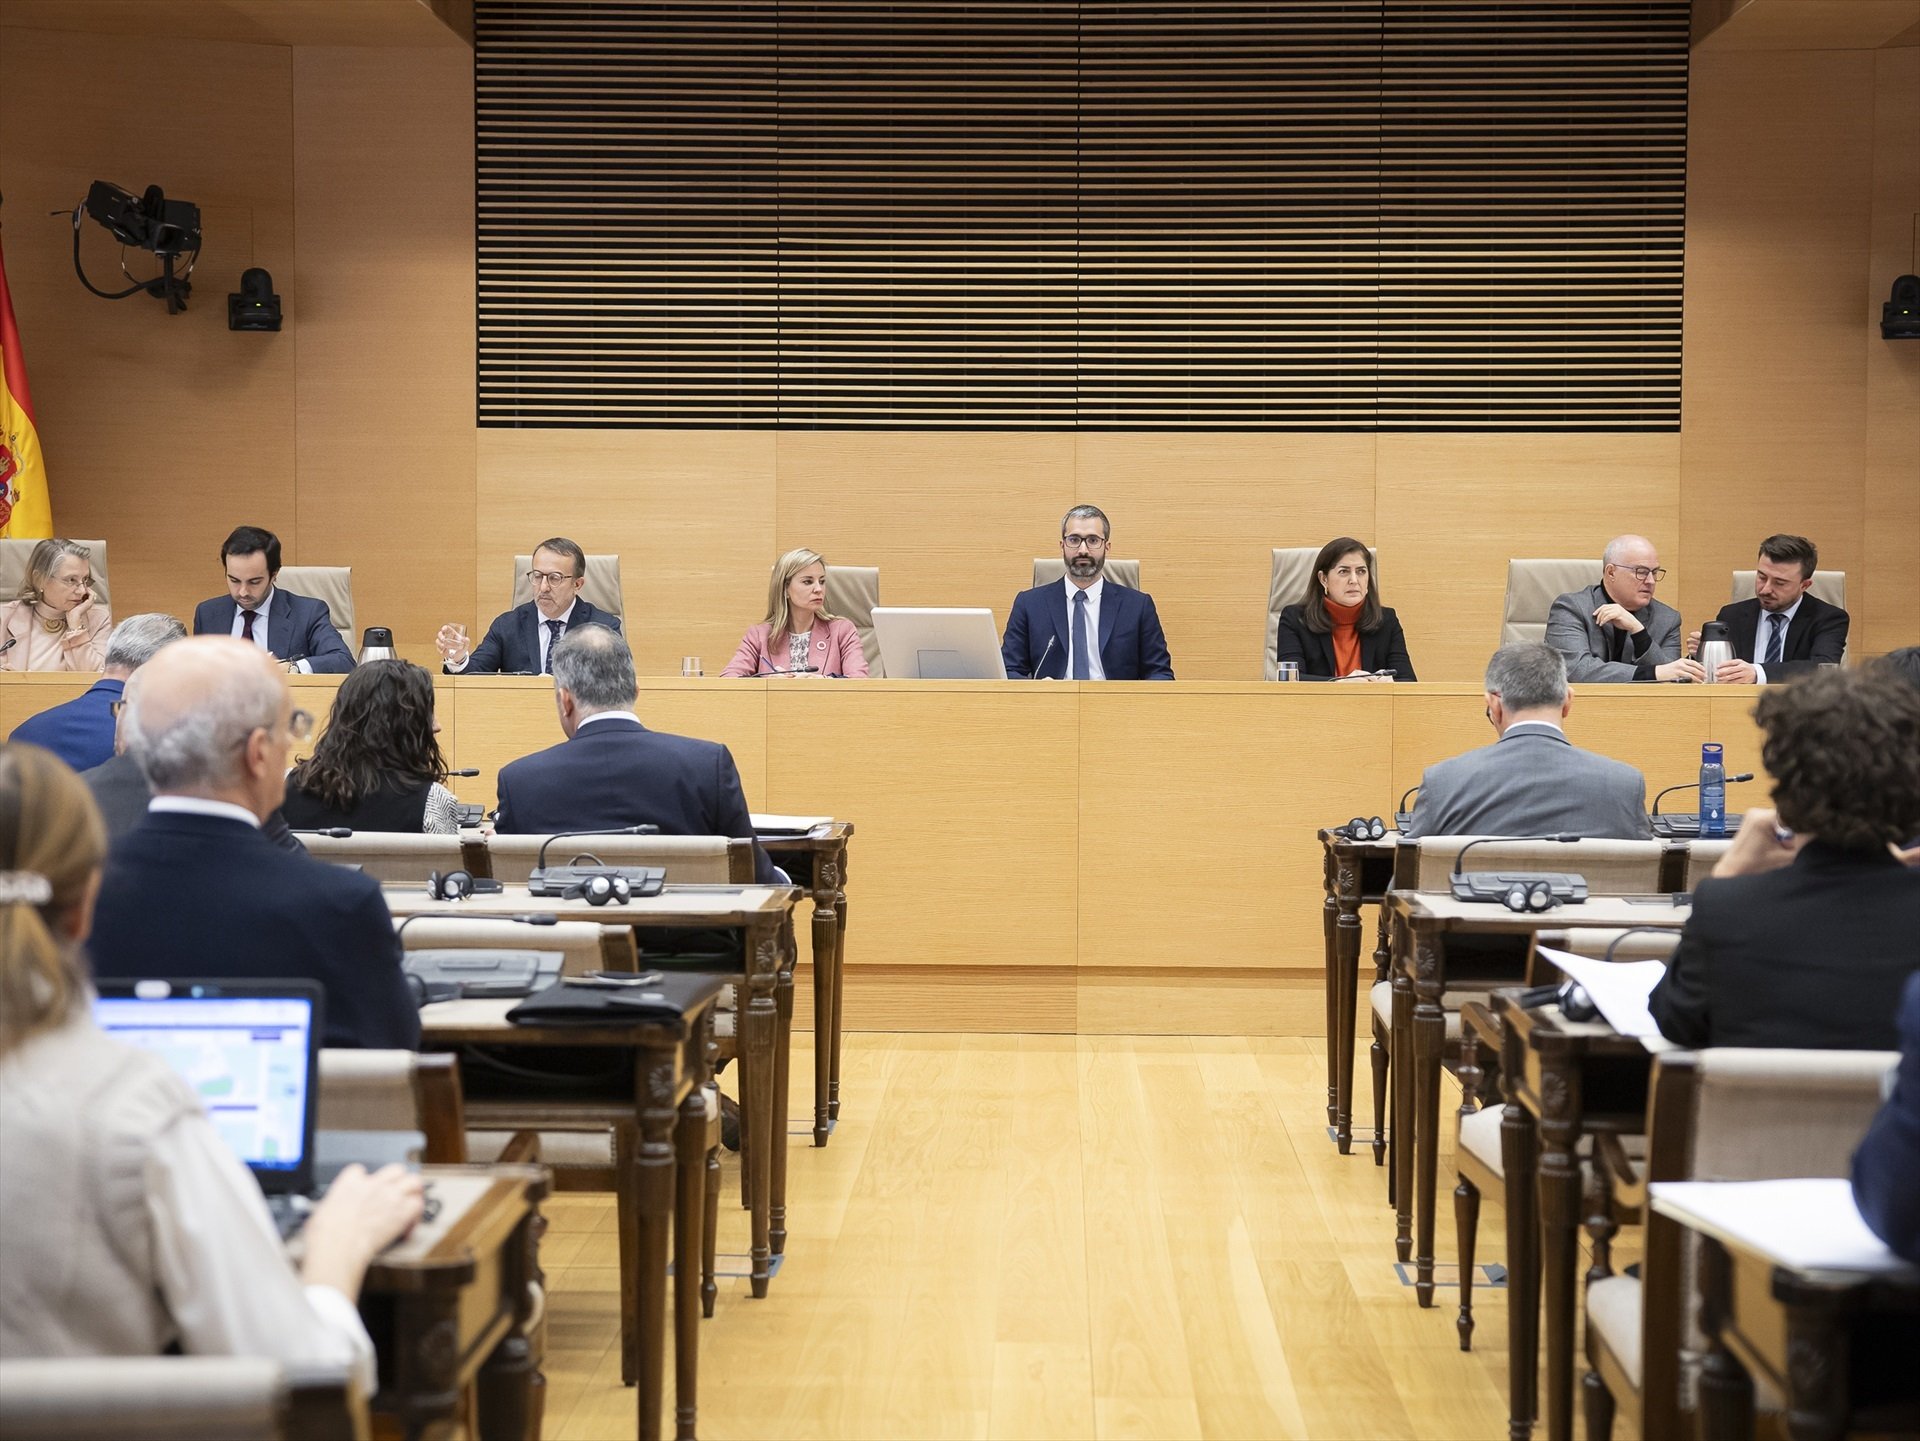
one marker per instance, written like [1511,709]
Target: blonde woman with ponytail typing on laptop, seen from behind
[147,1231]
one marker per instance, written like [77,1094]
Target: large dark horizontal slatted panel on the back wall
[1067,214]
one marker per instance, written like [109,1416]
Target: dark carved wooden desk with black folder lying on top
[669,1179]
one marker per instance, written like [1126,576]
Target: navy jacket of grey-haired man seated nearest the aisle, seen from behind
[617,772]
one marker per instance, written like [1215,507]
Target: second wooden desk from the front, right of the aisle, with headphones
[1424,926]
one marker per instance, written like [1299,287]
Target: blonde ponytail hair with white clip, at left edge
[51,847]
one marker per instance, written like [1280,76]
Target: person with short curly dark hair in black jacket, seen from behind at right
[1810,926]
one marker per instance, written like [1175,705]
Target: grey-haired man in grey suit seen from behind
[1533,780]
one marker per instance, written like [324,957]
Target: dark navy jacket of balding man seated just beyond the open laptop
[206,897]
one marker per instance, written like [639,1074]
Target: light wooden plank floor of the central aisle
[1055,1237]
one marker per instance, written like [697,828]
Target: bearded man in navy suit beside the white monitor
[1084,628]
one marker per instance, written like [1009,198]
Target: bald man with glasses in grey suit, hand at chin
[1616,630]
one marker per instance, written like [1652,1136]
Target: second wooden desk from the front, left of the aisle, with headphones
[765,916]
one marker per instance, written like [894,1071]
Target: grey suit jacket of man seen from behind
[1533,782]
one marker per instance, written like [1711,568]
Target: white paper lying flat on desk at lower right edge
[1802,1225]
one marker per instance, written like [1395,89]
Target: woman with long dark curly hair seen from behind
[379,765]
